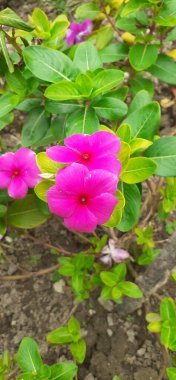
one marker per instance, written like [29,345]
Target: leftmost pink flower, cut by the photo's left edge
[18,171]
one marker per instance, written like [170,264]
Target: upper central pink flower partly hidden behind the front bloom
[97,151]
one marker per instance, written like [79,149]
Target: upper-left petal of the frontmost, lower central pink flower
[71,180]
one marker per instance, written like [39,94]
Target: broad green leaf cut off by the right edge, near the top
[164,69]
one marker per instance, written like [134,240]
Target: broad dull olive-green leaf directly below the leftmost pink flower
[25,213]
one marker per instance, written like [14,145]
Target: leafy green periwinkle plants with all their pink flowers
[90,149]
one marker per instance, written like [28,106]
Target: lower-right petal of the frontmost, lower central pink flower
[102,207]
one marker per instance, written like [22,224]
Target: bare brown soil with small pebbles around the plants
[36,306]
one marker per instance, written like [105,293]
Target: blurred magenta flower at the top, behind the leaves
[77,32]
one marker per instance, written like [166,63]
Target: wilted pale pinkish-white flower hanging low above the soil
[111,253]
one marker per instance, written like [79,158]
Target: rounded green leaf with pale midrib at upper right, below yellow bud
[143,56]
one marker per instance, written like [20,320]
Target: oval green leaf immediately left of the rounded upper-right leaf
[114,53]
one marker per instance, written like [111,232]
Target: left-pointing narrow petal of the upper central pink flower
[62,154]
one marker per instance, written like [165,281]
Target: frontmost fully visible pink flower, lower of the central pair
[83,198]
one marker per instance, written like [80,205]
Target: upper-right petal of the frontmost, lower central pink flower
[100,181]
